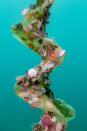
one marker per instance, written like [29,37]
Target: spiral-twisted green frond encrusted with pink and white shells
[33,87]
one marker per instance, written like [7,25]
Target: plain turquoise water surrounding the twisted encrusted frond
[68,27]
